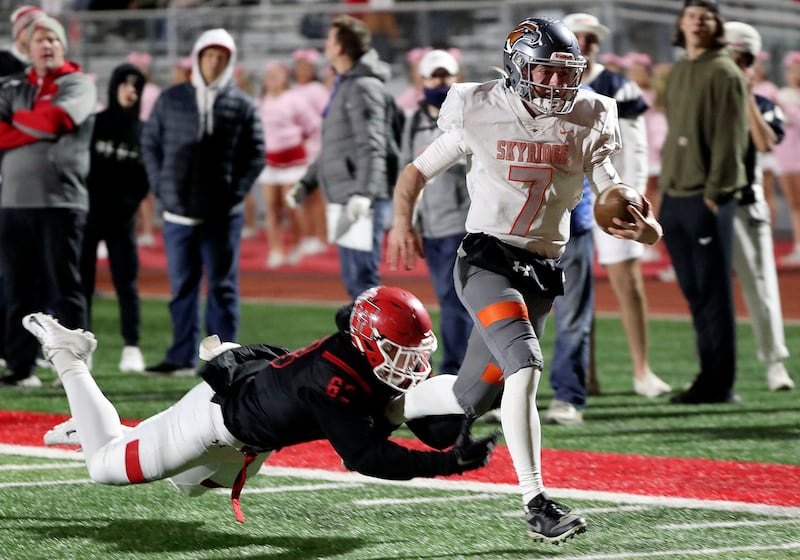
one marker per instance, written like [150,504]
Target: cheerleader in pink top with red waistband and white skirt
[288,123]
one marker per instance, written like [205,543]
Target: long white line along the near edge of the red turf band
[462,485]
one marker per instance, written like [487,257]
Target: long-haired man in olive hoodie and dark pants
[702,177]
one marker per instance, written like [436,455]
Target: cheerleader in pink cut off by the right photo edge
[787,153]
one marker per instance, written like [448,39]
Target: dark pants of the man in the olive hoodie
[700,245]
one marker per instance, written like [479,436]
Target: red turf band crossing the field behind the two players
[701,479]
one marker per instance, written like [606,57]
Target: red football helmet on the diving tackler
[394,331]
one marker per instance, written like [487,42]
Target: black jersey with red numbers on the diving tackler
[327,390]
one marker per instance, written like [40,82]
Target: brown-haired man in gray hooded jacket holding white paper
[352,164]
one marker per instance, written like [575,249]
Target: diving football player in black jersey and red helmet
[259,398]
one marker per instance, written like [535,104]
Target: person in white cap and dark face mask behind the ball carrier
[442,212]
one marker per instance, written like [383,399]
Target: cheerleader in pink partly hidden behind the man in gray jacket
[308,86]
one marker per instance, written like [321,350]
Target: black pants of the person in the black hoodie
[119,233]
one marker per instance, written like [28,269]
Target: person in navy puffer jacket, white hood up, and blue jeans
[203,149]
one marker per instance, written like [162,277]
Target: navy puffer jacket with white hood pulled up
[203,145]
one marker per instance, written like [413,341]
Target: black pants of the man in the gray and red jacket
[40,251]
